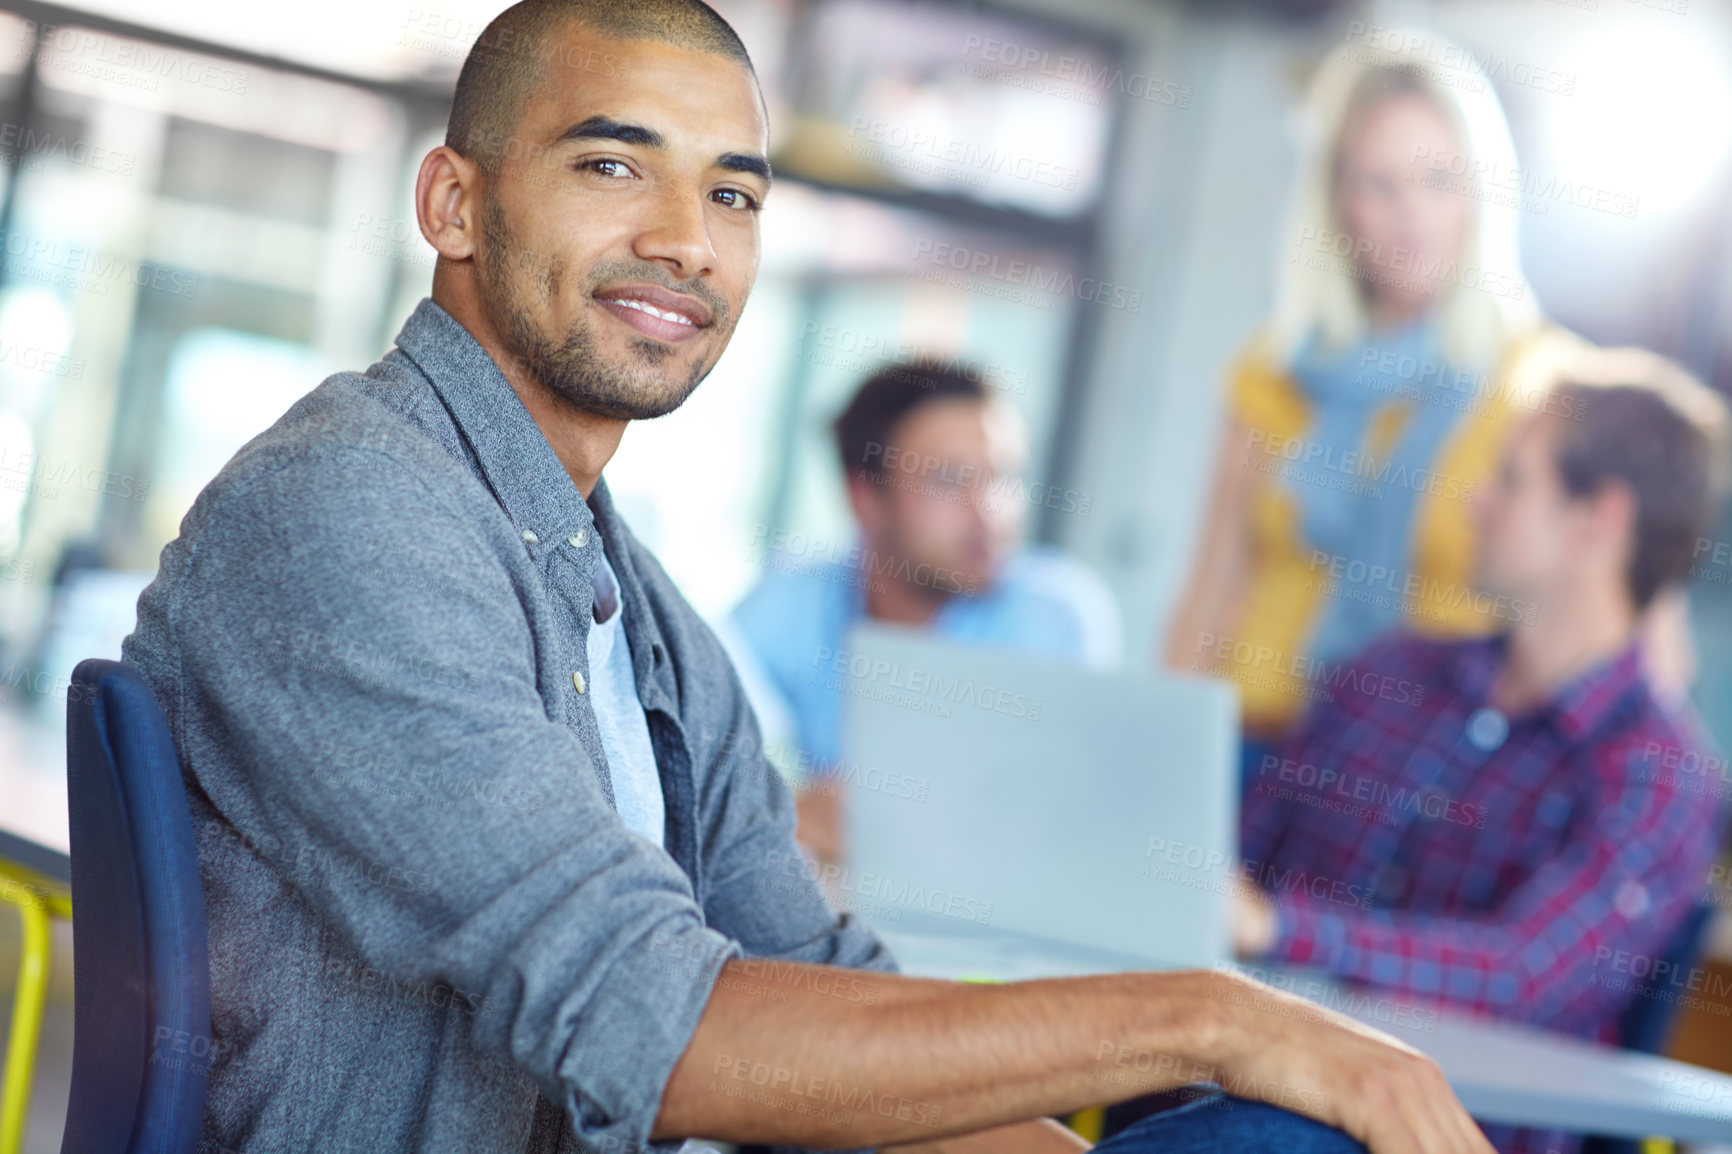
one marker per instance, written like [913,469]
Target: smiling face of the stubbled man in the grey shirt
[621,235]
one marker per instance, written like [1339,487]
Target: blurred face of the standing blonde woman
[1412,217]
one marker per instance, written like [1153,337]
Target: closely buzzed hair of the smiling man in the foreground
[519,49]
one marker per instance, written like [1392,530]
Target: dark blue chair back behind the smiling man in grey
[141,975]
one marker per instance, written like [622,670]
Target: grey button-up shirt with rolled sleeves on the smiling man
[429,926]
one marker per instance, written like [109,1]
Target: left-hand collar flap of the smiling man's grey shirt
[517,462]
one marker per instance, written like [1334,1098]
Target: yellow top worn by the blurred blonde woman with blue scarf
[1289,585]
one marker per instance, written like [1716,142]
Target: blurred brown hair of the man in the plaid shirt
[1650,424]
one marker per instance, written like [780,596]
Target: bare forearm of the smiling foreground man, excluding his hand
[782,1058]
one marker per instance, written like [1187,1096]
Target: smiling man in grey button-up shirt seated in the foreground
[475,888]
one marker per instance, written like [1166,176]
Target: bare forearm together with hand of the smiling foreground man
[834,1058]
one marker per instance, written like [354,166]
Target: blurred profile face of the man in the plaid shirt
[1534,536]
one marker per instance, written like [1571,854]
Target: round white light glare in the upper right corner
[1650,119]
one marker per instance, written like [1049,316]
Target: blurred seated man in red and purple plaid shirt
[1511,824]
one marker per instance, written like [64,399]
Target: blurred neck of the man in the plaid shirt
[1570,633]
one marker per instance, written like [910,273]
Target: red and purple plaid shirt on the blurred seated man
[1525,867]
